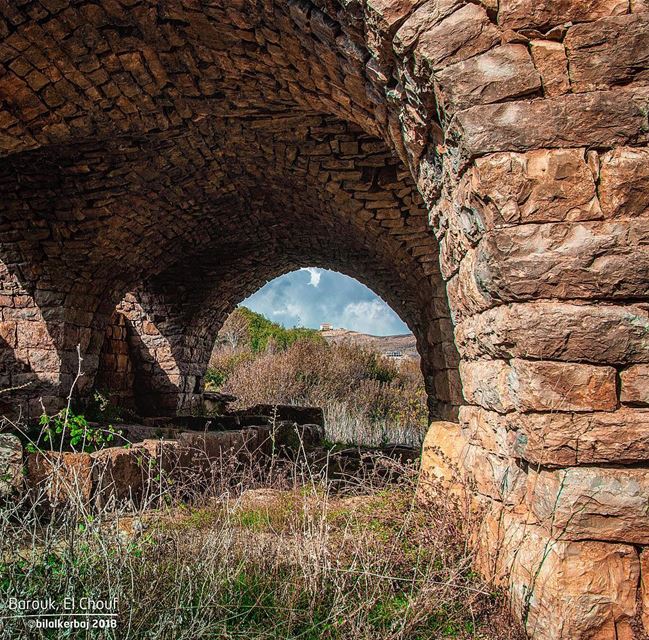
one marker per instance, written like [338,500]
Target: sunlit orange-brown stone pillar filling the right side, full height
[528,137]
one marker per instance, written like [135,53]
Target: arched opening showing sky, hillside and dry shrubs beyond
[315,337]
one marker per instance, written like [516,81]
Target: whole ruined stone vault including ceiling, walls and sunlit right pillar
[483,166]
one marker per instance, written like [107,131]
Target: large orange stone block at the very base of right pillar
[561,589]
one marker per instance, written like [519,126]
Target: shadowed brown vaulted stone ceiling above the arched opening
[184,148]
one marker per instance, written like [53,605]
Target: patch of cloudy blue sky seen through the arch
[309,297]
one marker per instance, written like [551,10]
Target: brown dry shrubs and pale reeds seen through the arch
[367,399]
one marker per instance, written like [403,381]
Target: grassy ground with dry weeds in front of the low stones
[299,562]
